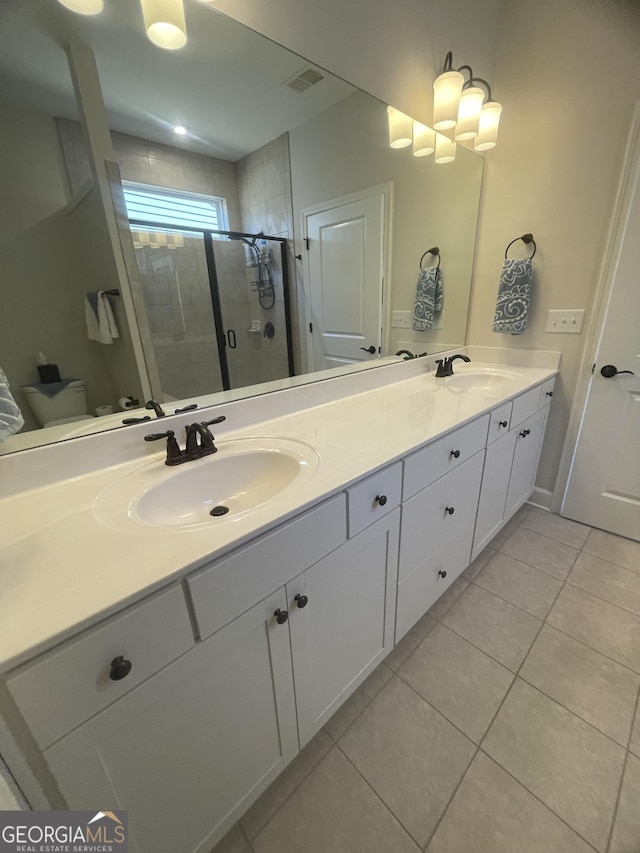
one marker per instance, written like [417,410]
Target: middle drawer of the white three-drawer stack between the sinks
[427,519]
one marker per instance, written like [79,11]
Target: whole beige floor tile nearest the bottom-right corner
[571,767]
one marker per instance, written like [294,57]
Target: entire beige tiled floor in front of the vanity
[506,721]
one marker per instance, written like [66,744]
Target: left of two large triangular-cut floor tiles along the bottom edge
[334,811]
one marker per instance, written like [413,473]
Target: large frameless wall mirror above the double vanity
[302,231]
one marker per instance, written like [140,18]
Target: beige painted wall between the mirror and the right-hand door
[568,75]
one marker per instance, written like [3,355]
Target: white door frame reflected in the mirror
[386,190]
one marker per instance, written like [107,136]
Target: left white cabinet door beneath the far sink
[493,492]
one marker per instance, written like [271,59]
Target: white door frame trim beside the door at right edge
[613,246]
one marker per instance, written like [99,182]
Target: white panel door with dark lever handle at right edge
[604,484]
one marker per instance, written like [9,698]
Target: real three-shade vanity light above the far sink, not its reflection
[467,107]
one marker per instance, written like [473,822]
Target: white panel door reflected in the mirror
[345,273]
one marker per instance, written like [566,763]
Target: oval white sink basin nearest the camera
[242,476]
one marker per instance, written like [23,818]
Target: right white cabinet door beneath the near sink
[344,627]
